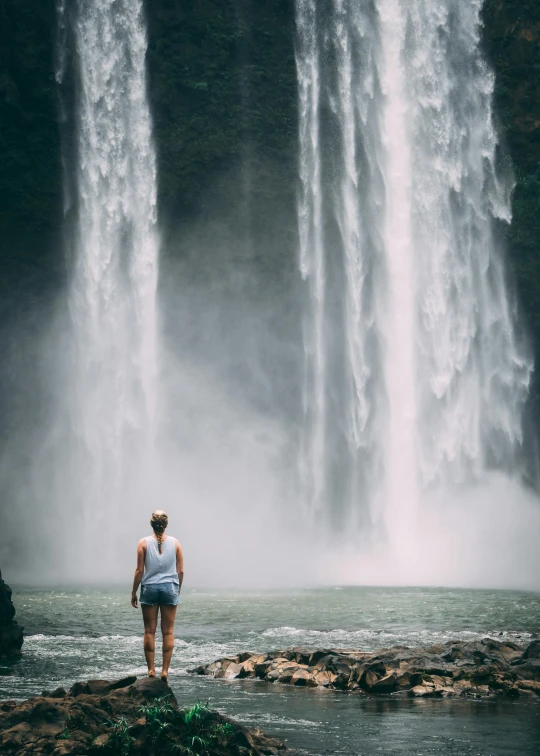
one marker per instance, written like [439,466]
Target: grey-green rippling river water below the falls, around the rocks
[77,634]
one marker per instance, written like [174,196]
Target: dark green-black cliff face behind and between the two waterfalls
[223,94]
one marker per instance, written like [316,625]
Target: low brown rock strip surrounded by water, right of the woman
[457,668]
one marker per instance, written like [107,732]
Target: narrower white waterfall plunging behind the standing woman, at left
[112,297]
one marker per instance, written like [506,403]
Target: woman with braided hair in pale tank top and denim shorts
[160,572]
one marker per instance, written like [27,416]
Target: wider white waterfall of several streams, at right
[415,376]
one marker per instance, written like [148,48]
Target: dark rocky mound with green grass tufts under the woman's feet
[128,717]
